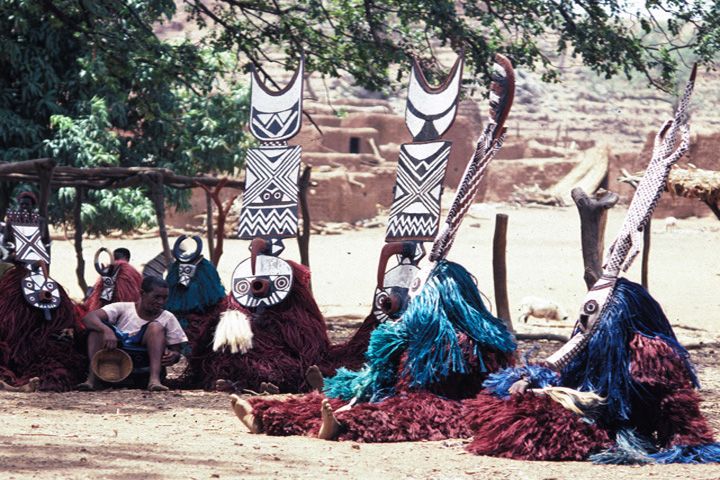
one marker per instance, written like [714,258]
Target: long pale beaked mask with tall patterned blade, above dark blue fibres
[626,245]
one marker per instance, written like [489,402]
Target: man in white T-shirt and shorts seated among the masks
[143,323]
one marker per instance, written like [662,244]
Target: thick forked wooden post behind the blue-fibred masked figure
[593,217]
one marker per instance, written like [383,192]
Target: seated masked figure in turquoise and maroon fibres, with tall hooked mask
[420,367]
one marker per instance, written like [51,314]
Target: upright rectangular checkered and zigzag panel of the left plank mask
[270,200]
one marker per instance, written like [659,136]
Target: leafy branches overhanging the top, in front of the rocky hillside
[371,39]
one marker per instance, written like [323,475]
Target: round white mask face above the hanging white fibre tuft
[269,285]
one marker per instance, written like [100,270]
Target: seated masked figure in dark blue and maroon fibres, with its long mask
[623,354]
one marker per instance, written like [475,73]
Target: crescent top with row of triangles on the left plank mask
[275,116]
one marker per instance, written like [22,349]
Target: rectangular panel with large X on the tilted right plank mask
[415,212]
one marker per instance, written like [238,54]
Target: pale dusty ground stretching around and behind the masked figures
[123,434]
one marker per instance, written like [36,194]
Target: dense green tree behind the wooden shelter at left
[91,84]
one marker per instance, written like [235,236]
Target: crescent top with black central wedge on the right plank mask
[429,110]
